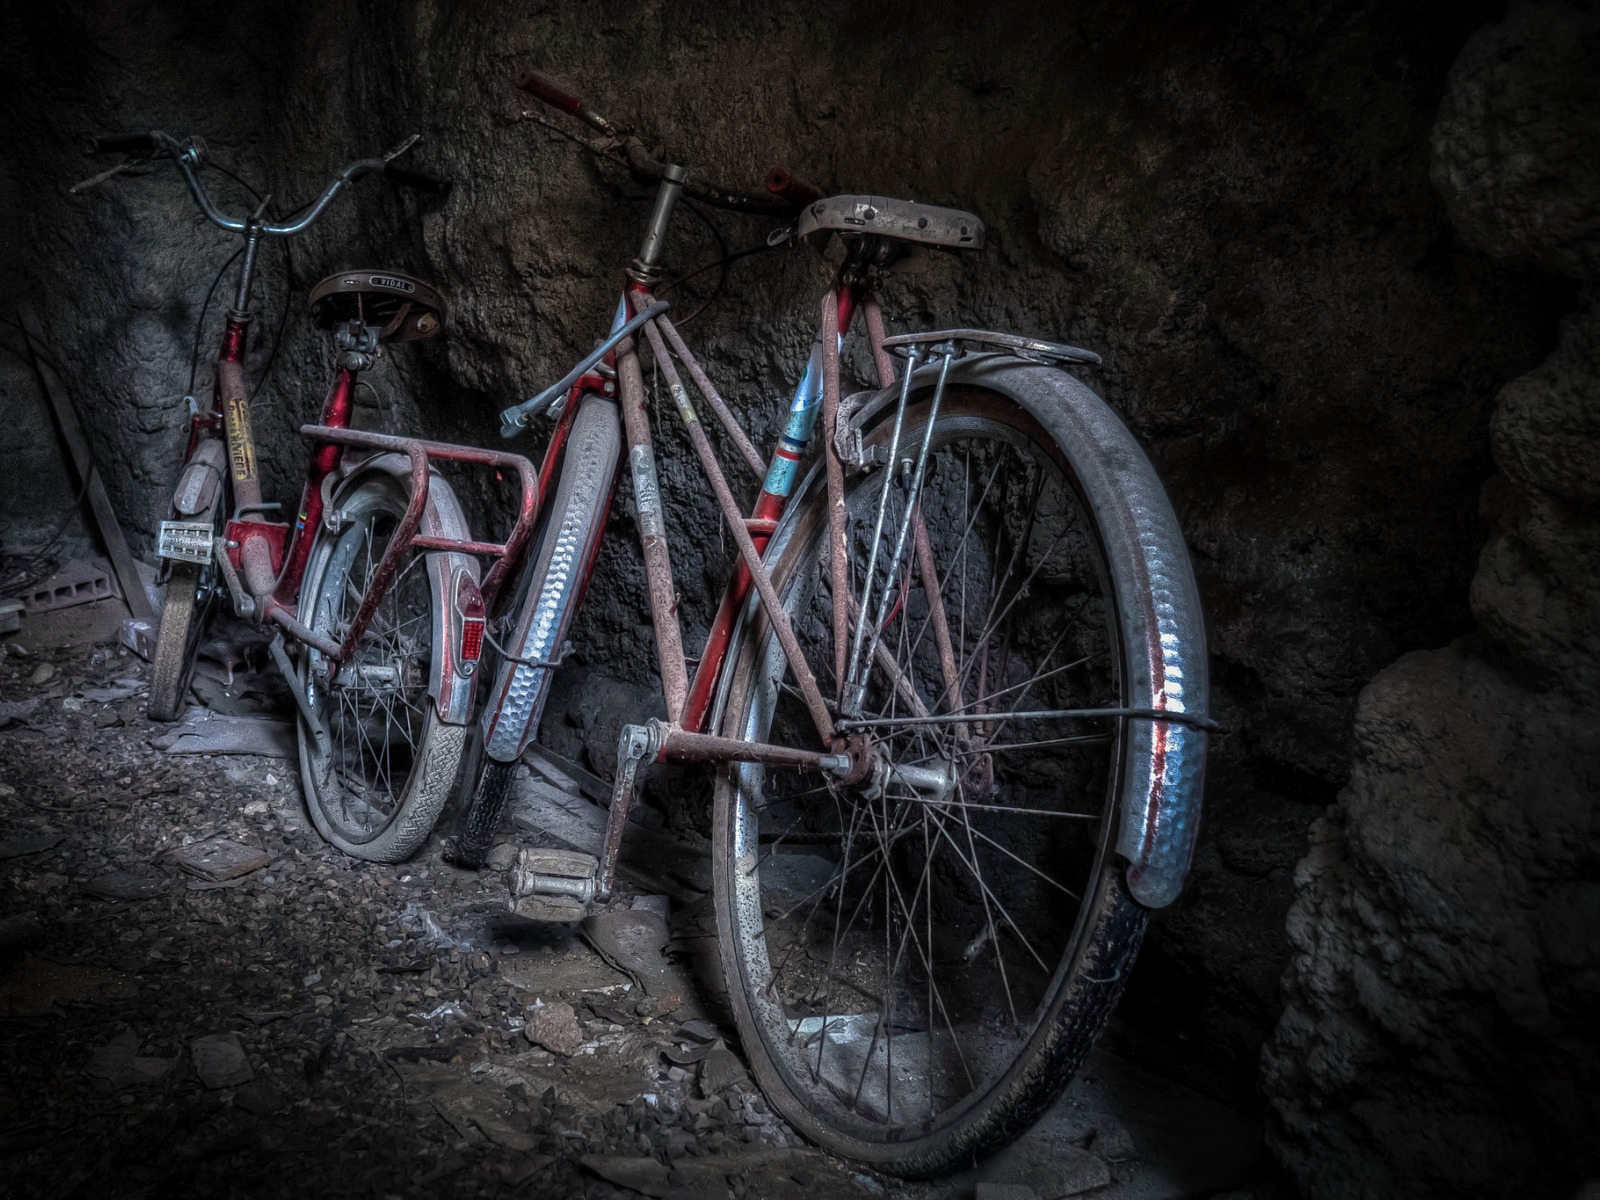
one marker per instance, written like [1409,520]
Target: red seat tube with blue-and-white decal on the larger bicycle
[804,412]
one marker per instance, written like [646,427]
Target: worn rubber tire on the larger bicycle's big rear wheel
[1106,929]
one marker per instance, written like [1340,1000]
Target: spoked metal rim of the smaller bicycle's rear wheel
[377,706]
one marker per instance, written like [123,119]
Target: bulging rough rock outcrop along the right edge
[1439,1036]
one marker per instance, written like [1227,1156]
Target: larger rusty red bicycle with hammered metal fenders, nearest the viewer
[954,697]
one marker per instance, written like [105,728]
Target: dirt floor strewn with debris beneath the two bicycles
[201,998]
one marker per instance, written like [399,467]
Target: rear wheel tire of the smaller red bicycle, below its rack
[342,786]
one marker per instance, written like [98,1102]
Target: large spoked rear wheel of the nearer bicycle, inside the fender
[918,964]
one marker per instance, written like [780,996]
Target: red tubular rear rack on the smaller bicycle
[422,455]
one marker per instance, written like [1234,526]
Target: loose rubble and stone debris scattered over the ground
[382,1007]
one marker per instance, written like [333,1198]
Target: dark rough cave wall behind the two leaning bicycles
[1231,204]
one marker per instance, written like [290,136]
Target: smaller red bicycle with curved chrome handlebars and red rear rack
[377,580]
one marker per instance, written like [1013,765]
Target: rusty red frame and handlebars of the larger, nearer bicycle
[615,372]
